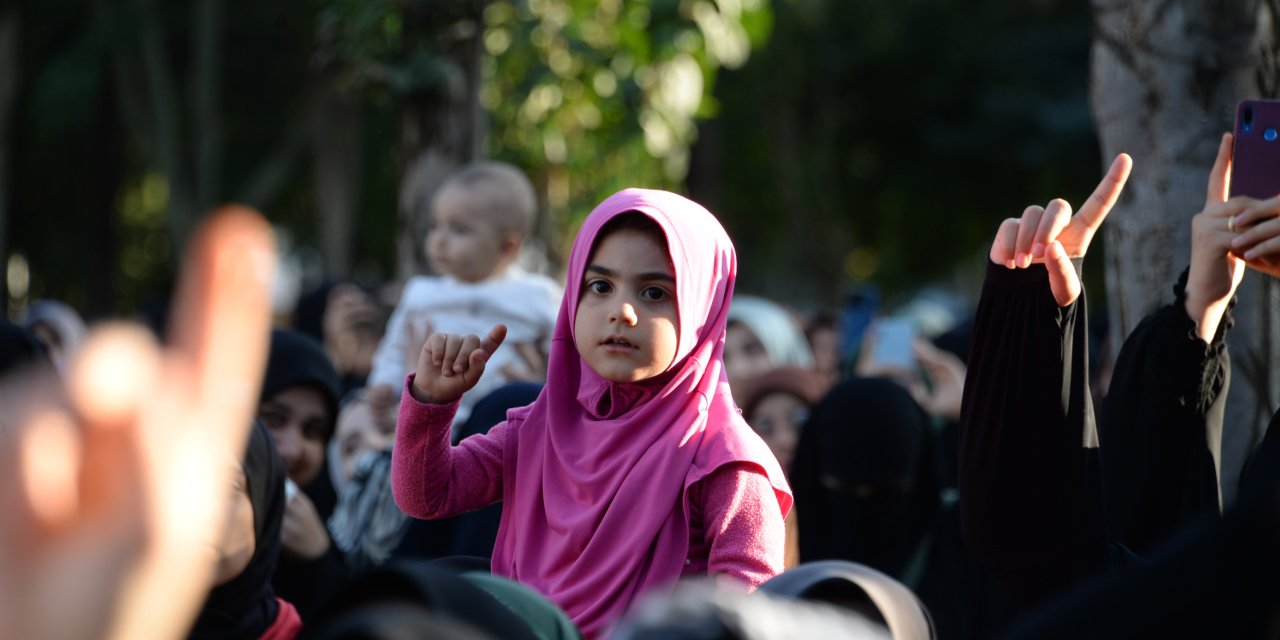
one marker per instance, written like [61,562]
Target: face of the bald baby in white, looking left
[464,240]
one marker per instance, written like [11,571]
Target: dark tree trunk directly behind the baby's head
[441,130]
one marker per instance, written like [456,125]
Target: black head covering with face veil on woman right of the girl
[866,479]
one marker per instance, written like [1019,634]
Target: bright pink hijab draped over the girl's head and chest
[597,474]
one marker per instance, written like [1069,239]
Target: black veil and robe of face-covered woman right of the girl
[866,484]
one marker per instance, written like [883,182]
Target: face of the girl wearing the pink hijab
[628,323]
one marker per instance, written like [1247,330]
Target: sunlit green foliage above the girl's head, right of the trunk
[593,97]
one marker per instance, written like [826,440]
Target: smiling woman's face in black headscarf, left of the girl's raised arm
[299,420]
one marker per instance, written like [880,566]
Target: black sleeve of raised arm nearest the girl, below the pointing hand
[1028,464]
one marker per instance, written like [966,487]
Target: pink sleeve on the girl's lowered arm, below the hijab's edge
[746,532]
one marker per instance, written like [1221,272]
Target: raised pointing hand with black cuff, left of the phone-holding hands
[1053,236]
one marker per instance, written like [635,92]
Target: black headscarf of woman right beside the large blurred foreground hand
[245,607]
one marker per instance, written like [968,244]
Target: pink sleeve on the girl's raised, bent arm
[431,478]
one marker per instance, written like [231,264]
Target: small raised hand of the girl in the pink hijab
[451,364]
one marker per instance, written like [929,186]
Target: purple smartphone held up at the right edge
[1256,158]
